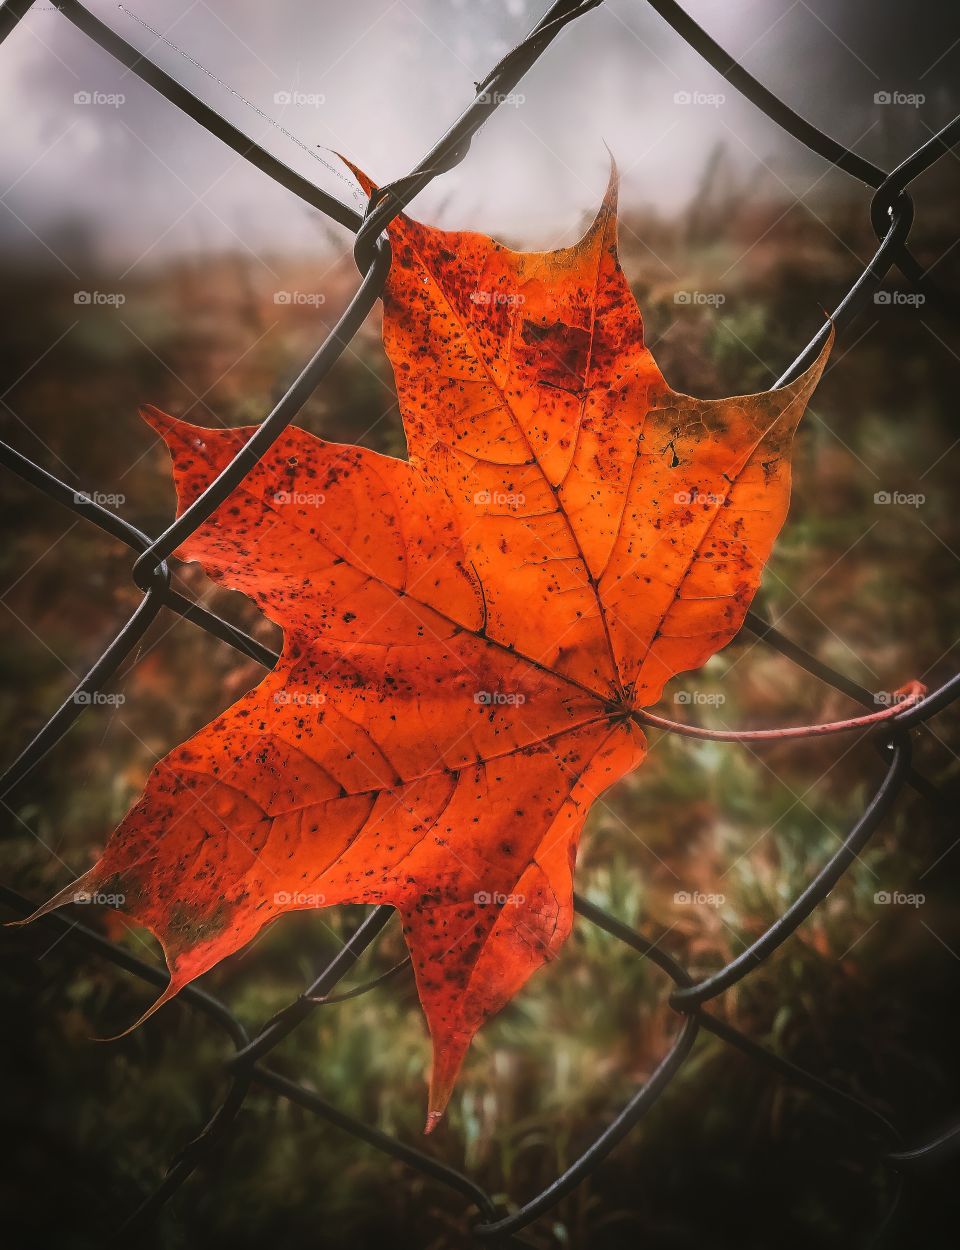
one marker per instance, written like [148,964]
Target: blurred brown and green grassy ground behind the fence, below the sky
[859,994]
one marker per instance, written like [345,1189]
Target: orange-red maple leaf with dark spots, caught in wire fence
[467,634]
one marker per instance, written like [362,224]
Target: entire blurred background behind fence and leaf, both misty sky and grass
[734,241]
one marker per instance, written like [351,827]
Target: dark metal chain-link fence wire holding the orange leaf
[892,214]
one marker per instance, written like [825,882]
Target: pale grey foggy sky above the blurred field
[382,79]
